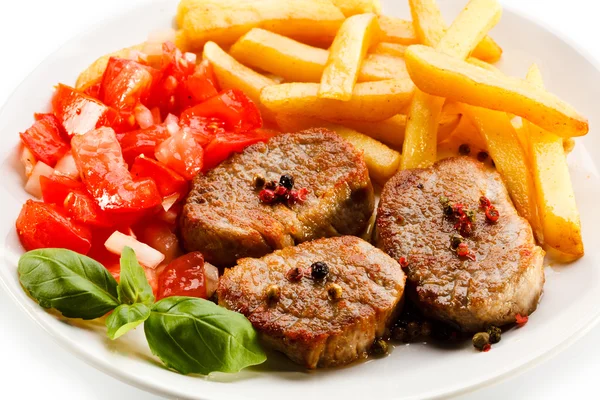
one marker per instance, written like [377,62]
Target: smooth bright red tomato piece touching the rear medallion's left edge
[167,180]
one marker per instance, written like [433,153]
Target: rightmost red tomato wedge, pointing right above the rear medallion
[225,144]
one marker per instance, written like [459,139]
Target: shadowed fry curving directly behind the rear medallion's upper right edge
[381,161]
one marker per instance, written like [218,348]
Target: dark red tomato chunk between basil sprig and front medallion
[184,276]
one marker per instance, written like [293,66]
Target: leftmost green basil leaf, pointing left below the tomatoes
[73,284]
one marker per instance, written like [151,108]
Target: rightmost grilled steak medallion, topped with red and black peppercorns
[507,275]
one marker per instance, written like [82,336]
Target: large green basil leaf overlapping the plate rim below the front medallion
[193,335]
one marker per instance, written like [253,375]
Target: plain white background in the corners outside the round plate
[33,366]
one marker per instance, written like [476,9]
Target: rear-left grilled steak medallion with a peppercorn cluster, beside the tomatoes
[225,219]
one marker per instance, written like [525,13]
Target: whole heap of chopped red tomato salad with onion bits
[112,164]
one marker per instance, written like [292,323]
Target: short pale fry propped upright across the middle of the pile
[346,55]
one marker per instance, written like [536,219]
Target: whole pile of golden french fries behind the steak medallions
[398,90]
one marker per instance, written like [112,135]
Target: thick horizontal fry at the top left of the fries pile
[225,21]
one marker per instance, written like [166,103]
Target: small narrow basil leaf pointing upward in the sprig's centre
[133,286]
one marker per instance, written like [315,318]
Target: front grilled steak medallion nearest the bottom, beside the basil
[317,322]
